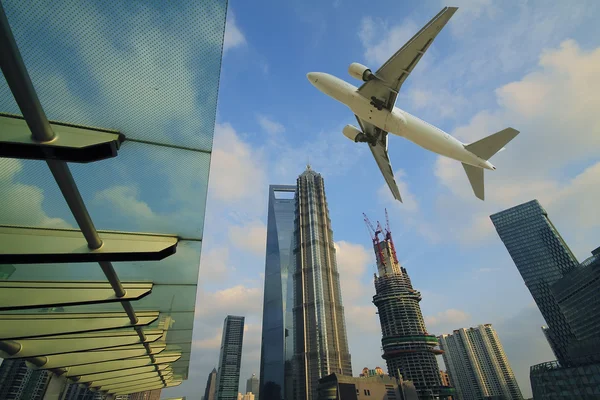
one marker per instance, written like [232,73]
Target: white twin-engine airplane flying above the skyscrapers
[373,104]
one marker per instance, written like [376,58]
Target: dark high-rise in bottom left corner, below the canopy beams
[17,382]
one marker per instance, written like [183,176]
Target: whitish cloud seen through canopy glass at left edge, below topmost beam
[22,204]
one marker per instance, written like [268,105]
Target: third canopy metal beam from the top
[18,295]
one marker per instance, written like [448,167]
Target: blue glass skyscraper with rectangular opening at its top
[277,326]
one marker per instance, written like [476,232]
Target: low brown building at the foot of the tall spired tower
[378,387]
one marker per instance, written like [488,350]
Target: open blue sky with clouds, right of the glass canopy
[519,63]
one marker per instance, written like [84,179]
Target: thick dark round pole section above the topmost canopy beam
[20,84]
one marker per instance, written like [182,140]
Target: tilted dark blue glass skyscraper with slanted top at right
[542,257]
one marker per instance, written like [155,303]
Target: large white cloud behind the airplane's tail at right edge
[554,107]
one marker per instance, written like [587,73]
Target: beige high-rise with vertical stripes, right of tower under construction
[477,365]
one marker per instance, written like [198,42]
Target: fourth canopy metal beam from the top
[21,326]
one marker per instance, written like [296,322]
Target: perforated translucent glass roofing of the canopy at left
[149,69]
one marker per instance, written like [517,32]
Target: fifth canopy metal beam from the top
[50,345]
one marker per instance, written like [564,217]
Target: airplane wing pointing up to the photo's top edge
[394,72]
